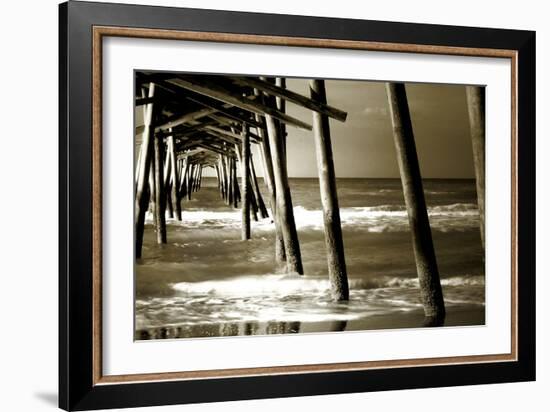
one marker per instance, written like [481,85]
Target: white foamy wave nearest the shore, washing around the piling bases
[287,298]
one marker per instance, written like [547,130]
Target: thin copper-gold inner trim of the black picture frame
[101,31]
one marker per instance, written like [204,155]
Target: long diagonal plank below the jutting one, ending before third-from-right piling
[215,91]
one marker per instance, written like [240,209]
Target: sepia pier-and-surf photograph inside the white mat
[278,205]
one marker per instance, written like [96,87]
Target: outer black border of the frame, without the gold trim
[76,388]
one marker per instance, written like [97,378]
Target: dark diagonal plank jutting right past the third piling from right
[291,96]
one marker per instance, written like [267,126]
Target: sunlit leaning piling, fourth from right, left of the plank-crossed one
[283,199]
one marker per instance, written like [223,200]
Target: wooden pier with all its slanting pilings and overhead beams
[196,122]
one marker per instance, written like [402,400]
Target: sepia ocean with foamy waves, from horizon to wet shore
[206,282]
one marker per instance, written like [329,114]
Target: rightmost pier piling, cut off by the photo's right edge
[475,96]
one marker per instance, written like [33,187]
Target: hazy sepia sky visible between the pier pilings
[363,144]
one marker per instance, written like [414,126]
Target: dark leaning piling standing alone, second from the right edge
[426,263]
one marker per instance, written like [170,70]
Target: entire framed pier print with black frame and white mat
[257,205]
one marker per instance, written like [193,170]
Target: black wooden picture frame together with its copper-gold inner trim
[81,30]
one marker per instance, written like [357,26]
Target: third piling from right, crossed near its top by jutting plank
[329,199]
